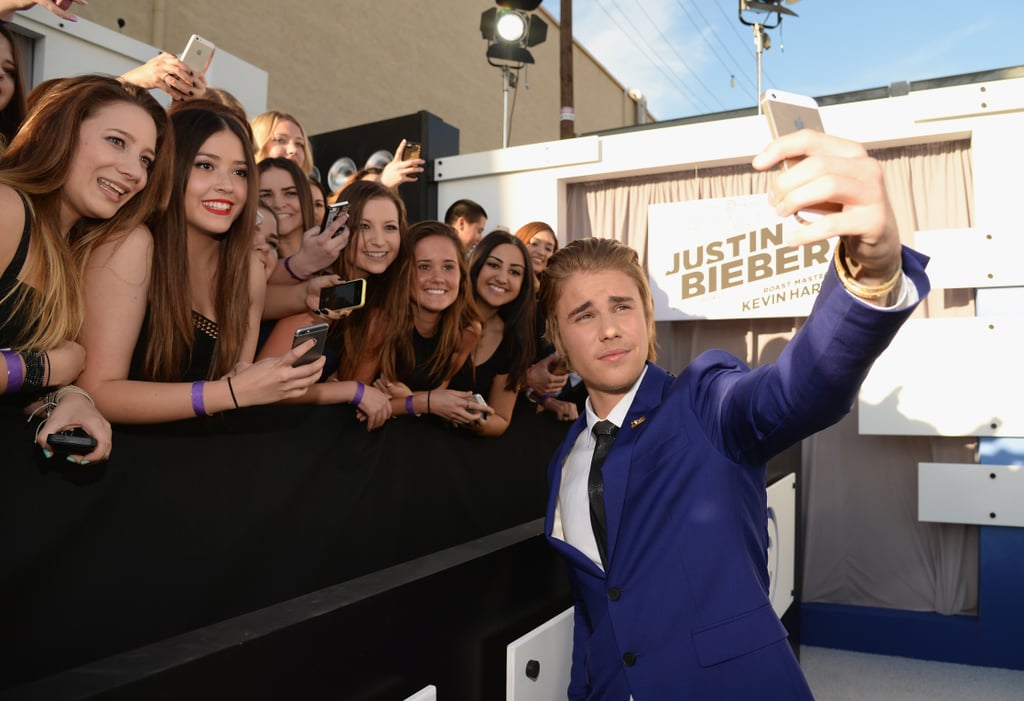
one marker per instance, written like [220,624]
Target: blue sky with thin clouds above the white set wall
[695,57]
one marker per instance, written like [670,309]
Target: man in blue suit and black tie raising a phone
[667,543]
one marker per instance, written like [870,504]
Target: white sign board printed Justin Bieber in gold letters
[729,259]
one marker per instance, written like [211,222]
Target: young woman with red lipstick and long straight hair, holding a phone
[173,311]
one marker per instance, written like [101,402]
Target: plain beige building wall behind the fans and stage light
[337,64]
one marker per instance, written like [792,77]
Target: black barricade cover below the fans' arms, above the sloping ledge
[200,521]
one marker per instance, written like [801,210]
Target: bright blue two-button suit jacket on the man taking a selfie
[682,611]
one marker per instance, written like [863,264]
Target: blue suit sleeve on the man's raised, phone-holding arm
[755,415]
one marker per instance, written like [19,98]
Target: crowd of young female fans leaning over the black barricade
[158,264]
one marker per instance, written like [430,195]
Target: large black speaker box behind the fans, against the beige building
[438,138]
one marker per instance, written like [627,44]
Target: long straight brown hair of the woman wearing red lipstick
[170,333]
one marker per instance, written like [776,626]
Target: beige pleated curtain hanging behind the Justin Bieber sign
[863,542]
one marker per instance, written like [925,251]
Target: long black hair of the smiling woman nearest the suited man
[520,315]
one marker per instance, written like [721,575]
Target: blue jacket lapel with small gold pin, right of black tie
[617,467]
